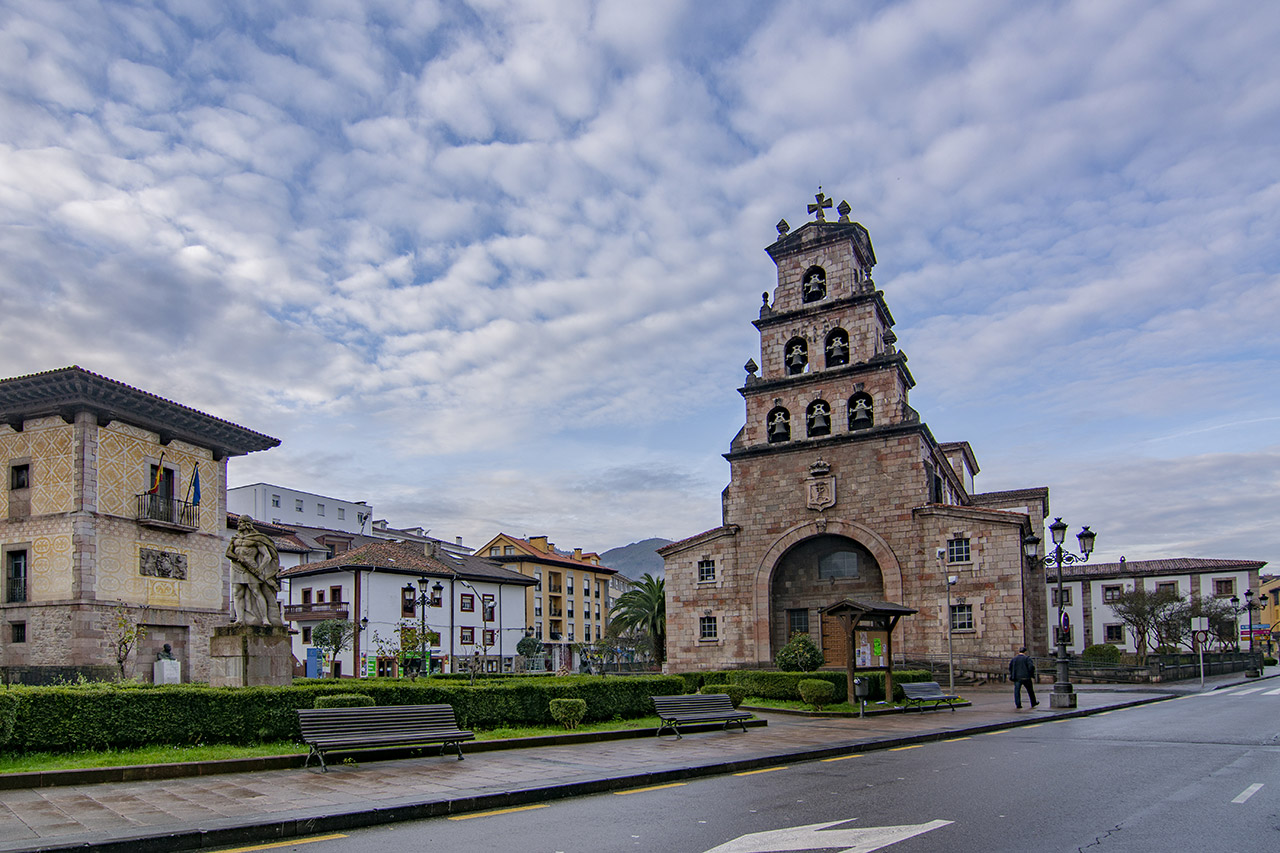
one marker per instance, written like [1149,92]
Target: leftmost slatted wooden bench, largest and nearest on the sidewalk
[396,726]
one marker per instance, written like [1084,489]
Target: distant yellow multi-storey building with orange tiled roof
[572,601]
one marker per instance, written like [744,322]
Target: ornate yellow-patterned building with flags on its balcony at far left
[116,507]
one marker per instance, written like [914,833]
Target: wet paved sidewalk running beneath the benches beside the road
[248,808]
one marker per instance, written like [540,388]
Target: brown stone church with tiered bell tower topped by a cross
[839,490]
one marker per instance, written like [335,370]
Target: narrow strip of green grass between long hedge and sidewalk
[36,761]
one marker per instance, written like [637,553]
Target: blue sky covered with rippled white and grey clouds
[493,266]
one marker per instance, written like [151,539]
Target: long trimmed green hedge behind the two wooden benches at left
[122,715]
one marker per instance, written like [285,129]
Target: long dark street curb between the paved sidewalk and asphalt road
[299,827]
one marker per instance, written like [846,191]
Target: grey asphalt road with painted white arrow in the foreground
[1199,774]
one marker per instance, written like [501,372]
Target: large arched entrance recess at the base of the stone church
[813,574]
